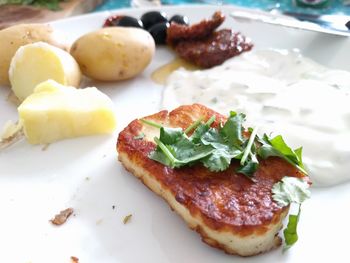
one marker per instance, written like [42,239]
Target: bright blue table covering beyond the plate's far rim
[335,6]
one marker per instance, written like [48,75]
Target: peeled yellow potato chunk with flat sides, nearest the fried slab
[55,112]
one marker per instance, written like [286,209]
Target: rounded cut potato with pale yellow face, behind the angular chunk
[37,62]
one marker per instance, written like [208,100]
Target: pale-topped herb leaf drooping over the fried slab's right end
[291,190]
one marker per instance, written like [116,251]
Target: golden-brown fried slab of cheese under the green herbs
[221,203]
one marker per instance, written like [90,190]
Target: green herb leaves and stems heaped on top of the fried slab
[216,147]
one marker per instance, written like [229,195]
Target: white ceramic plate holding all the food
[84,174]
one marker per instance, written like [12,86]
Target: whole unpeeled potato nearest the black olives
[114,53]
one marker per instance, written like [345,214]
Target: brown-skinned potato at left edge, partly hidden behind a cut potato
[16,36]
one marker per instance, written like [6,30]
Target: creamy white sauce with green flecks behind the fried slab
[283,92]
